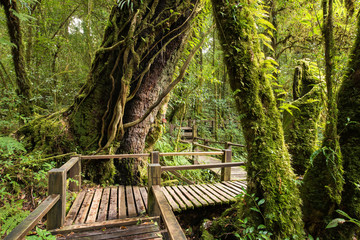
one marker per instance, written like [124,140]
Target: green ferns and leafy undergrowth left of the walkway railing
[23,183]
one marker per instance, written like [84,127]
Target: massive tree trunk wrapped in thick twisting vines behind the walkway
[136,61]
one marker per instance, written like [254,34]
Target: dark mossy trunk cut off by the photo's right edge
[349,131]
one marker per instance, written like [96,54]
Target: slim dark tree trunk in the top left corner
[17,50]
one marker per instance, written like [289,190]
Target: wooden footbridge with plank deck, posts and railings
[128,212]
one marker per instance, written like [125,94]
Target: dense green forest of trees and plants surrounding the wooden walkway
[281,77]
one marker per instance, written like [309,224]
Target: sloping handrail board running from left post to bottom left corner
[21,230]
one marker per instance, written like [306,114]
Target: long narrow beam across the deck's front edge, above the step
[105,224]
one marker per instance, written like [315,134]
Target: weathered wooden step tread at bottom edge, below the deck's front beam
[111,233]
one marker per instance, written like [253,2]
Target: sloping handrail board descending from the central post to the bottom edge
[174,229]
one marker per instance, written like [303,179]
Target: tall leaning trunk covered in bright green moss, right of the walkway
[270,176]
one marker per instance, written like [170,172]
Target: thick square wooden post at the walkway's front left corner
[57,185]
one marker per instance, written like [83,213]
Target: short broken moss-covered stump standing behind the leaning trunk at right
[300,126]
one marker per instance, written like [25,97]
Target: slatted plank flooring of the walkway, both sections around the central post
[102,204]
